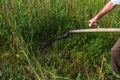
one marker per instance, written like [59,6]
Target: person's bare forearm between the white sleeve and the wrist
[108,7]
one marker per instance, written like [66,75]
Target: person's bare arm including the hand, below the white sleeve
[108,7]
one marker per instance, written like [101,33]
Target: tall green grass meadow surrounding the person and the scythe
[26,25]
